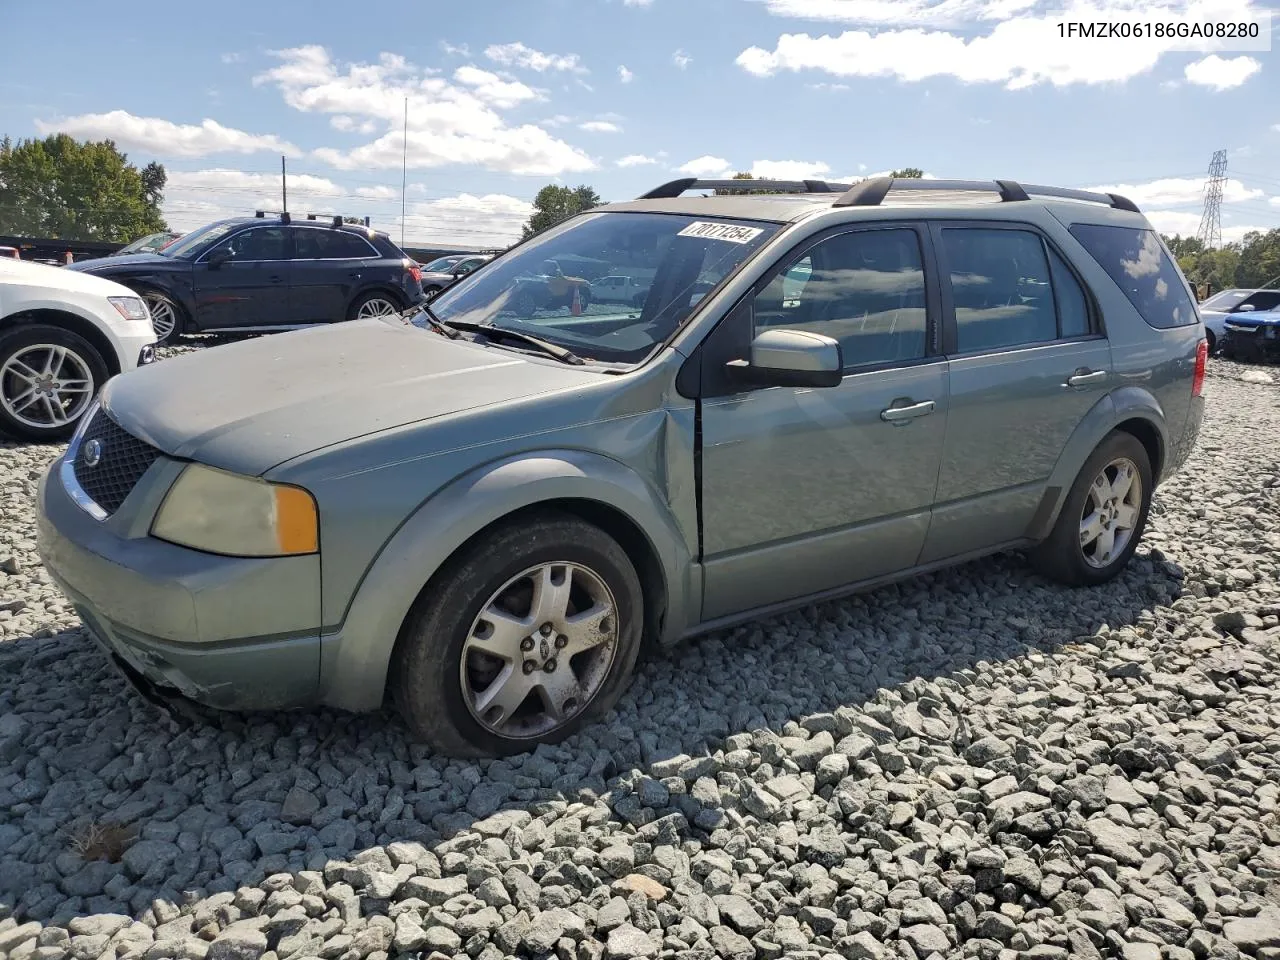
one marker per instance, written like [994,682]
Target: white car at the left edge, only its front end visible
[62,337]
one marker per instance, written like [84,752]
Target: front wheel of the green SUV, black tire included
[442,694]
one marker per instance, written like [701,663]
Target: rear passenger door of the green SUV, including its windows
[1027,362]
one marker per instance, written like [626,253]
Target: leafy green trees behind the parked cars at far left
[65,189]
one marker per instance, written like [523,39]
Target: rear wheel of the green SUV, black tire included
[1063,556]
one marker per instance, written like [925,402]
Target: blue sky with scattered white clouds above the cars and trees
[510,95]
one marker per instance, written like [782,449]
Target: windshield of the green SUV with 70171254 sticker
[545,287]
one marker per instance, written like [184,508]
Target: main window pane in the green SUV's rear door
[1000,289]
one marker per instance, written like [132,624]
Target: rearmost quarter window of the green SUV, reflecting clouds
[1137,262]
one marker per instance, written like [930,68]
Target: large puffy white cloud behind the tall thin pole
[450,122]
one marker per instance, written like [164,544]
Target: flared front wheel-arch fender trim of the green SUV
[355,661]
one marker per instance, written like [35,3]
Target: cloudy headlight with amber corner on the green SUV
[240,516]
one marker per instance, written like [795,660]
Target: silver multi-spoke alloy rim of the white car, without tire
[45,386]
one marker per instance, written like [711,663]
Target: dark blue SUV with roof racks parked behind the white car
[267,273]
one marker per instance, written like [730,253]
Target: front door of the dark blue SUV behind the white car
[249,290]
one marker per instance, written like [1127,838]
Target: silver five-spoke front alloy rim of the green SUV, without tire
[540,651]
